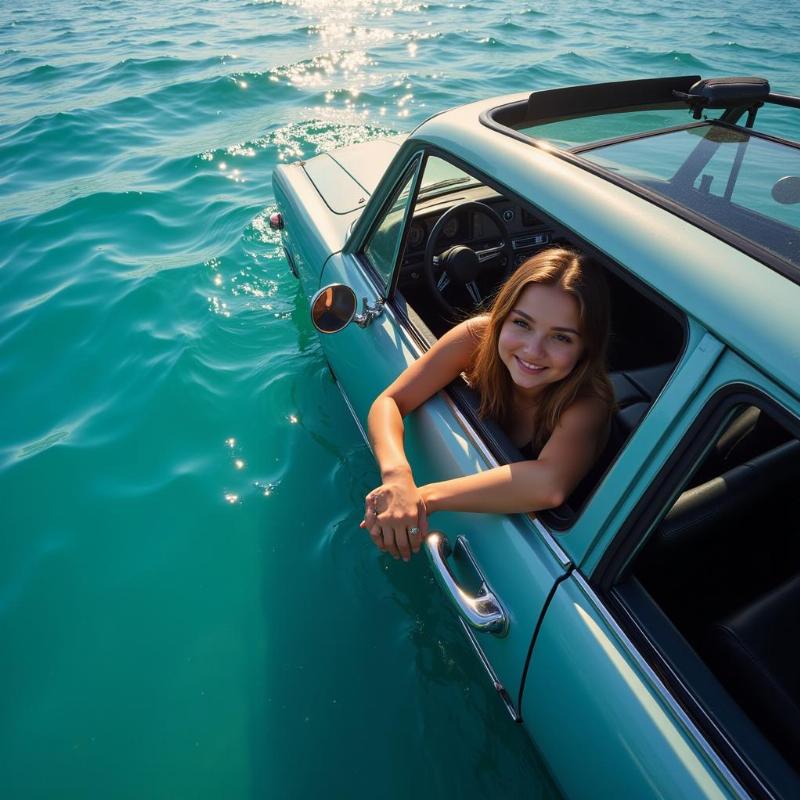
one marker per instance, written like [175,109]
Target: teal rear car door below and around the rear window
[606,715]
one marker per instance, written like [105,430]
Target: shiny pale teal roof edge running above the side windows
[750,307]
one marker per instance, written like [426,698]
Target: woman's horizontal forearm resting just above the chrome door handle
[511,489]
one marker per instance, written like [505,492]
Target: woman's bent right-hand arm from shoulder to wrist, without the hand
[529,485]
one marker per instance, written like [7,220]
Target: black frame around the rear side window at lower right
[757,764]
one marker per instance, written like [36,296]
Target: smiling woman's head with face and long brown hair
[550,327]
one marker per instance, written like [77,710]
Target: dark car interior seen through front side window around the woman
[435,294]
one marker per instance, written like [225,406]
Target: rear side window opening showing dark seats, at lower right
[716,586]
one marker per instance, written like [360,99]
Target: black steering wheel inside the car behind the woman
[460,265]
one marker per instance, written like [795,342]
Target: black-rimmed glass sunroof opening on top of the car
[639,134]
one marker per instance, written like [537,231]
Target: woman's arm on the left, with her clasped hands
[396,504]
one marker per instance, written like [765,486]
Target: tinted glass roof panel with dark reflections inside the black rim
[748,184]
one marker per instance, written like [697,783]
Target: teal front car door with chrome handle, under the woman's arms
[511,558]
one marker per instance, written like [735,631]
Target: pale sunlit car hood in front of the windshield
[345,178]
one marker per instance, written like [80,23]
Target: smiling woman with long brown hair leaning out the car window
[538,362]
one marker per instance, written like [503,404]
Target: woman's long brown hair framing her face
[583,280]
